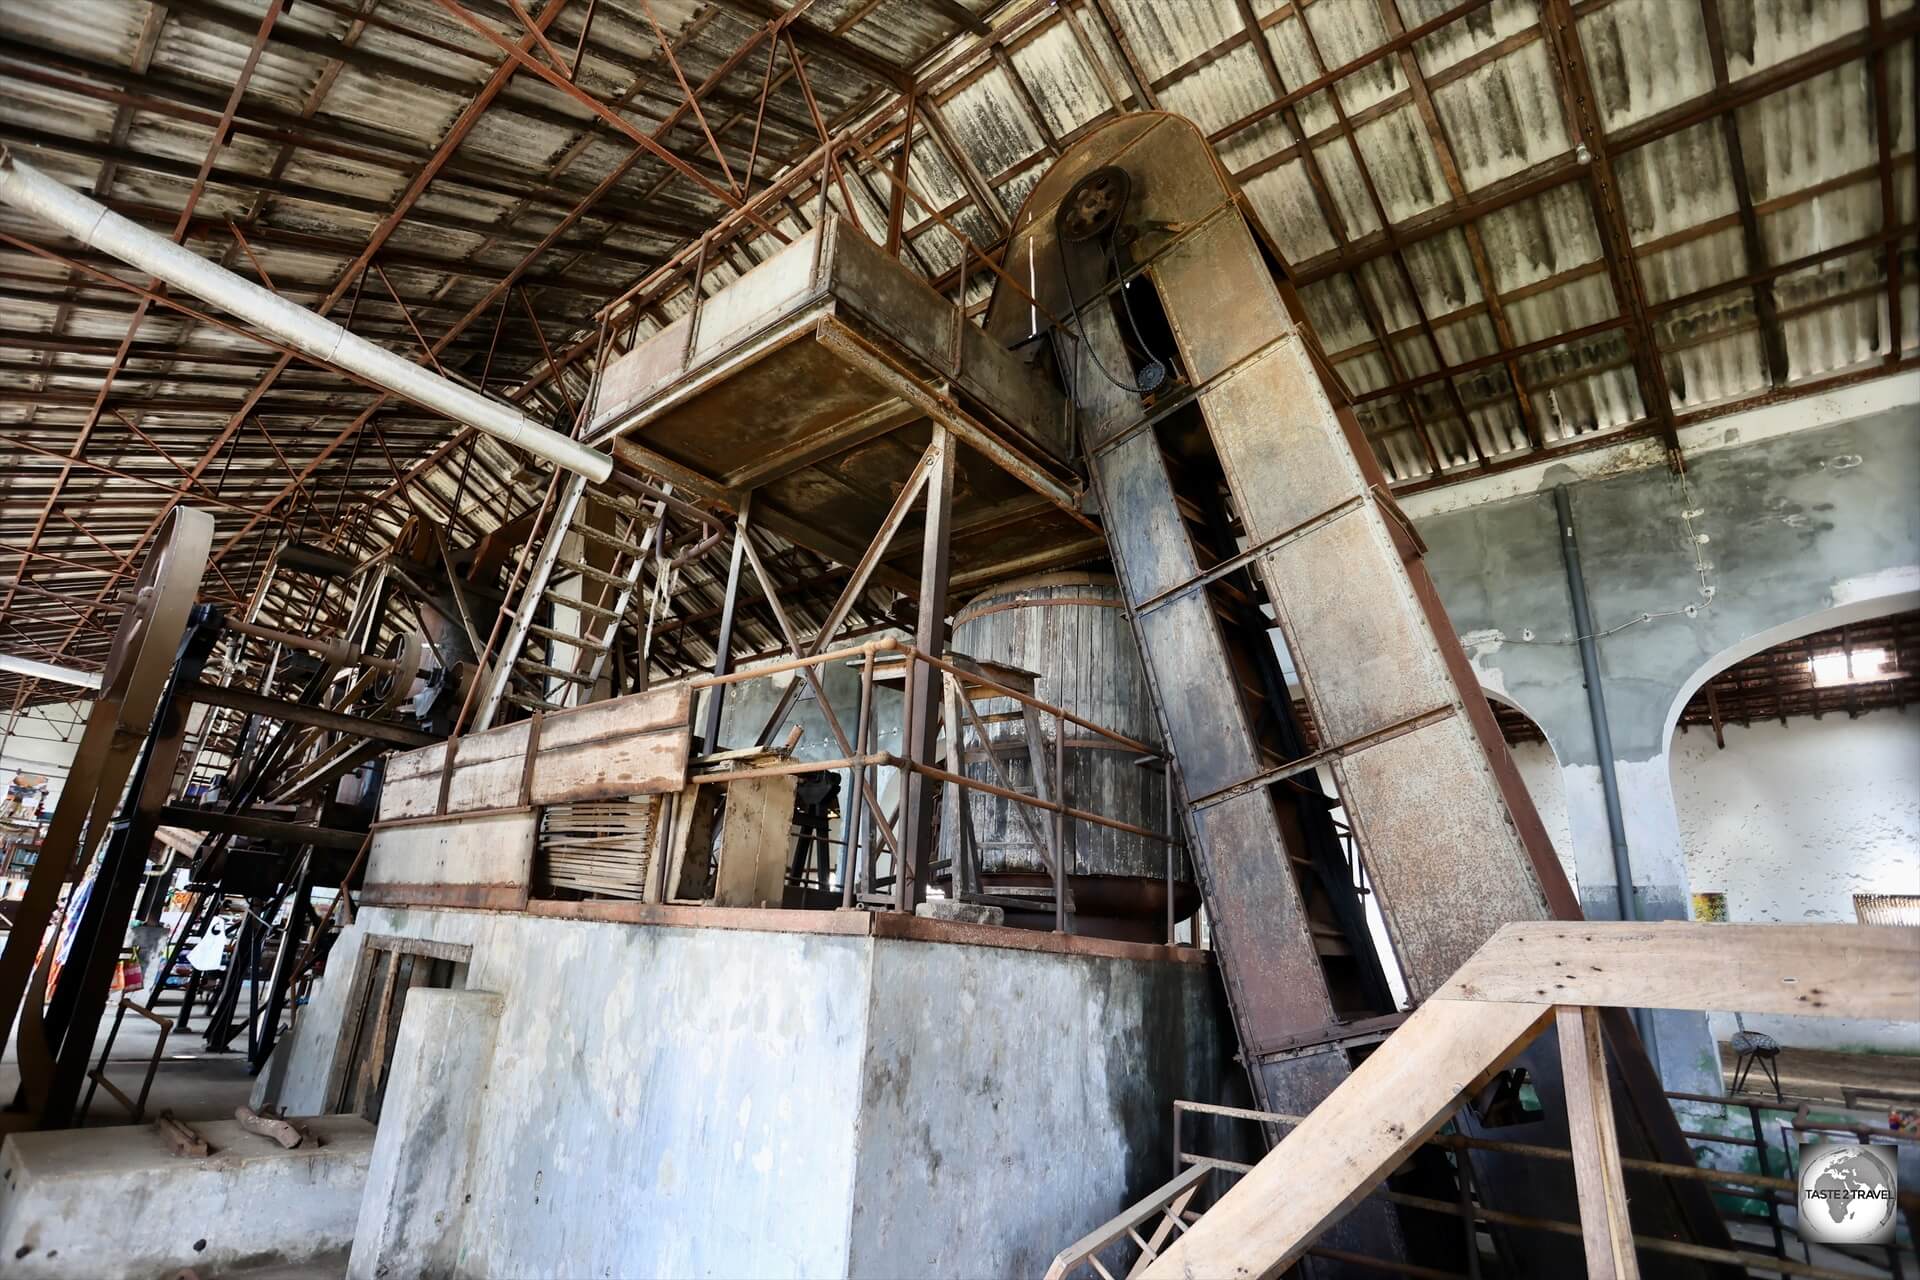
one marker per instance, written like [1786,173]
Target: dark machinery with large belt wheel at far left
[193,763]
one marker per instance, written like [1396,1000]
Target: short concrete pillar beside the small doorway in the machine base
[410,1221]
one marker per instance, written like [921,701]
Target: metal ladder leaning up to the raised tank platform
[533,673]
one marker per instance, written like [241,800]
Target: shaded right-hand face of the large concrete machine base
[1017,1101]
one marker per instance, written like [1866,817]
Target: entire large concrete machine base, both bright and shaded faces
[702,1102]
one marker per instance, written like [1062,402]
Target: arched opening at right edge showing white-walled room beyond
[1796,780]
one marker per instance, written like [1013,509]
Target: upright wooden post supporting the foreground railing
[1596,1149]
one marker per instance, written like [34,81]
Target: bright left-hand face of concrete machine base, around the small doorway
[671,1102]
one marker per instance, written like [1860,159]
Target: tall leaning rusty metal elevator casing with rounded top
[1241,502]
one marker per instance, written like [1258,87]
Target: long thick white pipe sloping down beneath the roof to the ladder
[99,227]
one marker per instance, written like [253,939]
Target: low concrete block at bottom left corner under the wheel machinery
[116,1204]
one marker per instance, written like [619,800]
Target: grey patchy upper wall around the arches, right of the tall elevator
[1777,529]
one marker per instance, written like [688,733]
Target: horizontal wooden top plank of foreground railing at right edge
[1813,970]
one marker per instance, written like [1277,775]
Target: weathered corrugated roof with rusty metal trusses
[1491,208]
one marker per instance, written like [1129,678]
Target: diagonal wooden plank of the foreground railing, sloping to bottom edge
[1351,1143]
